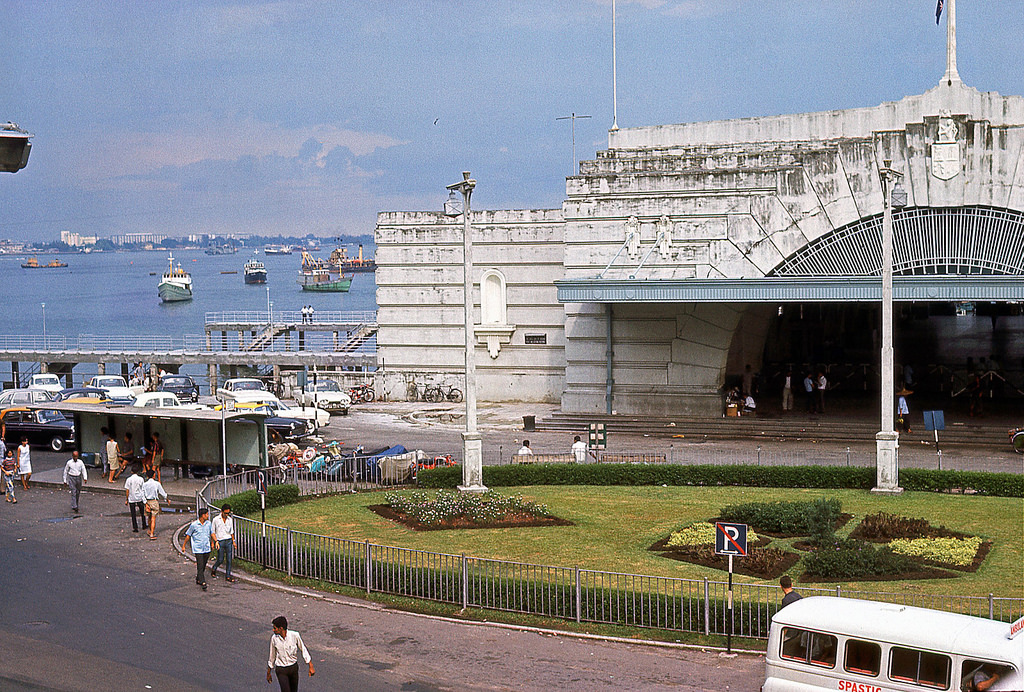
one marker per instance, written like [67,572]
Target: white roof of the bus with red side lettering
[909,626]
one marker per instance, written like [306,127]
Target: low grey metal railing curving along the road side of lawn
[565,593]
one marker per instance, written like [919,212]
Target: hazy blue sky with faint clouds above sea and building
[302,117]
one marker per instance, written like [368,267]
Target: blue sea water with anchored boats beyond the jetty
[115,294]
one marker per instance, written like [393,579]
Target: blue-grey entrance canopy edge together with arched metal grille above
[941,255]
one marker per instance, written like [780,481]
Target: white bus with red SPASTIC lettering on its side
[828,643]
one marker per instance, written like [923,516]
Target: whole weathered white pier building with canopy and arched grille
[685,252]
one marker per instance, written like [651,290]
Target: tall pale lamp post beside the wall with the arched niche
[473,464]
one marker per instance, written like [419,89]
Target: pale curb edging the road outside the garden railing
[243,576]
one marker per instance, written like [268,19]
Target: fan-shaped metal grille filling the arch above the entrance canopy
[954,241]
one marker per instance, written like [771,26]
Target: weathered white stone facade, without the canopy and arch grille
[720,200]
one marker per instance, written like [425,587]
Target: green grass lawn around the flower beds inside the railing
[615,526]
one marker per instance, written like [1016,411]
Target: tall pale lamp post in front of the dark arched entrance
[887,441]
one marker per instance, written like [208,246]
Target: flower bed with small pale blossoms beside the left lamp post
[420,511]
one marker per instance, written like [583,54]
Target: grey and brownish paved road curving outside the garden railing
[88,604]
